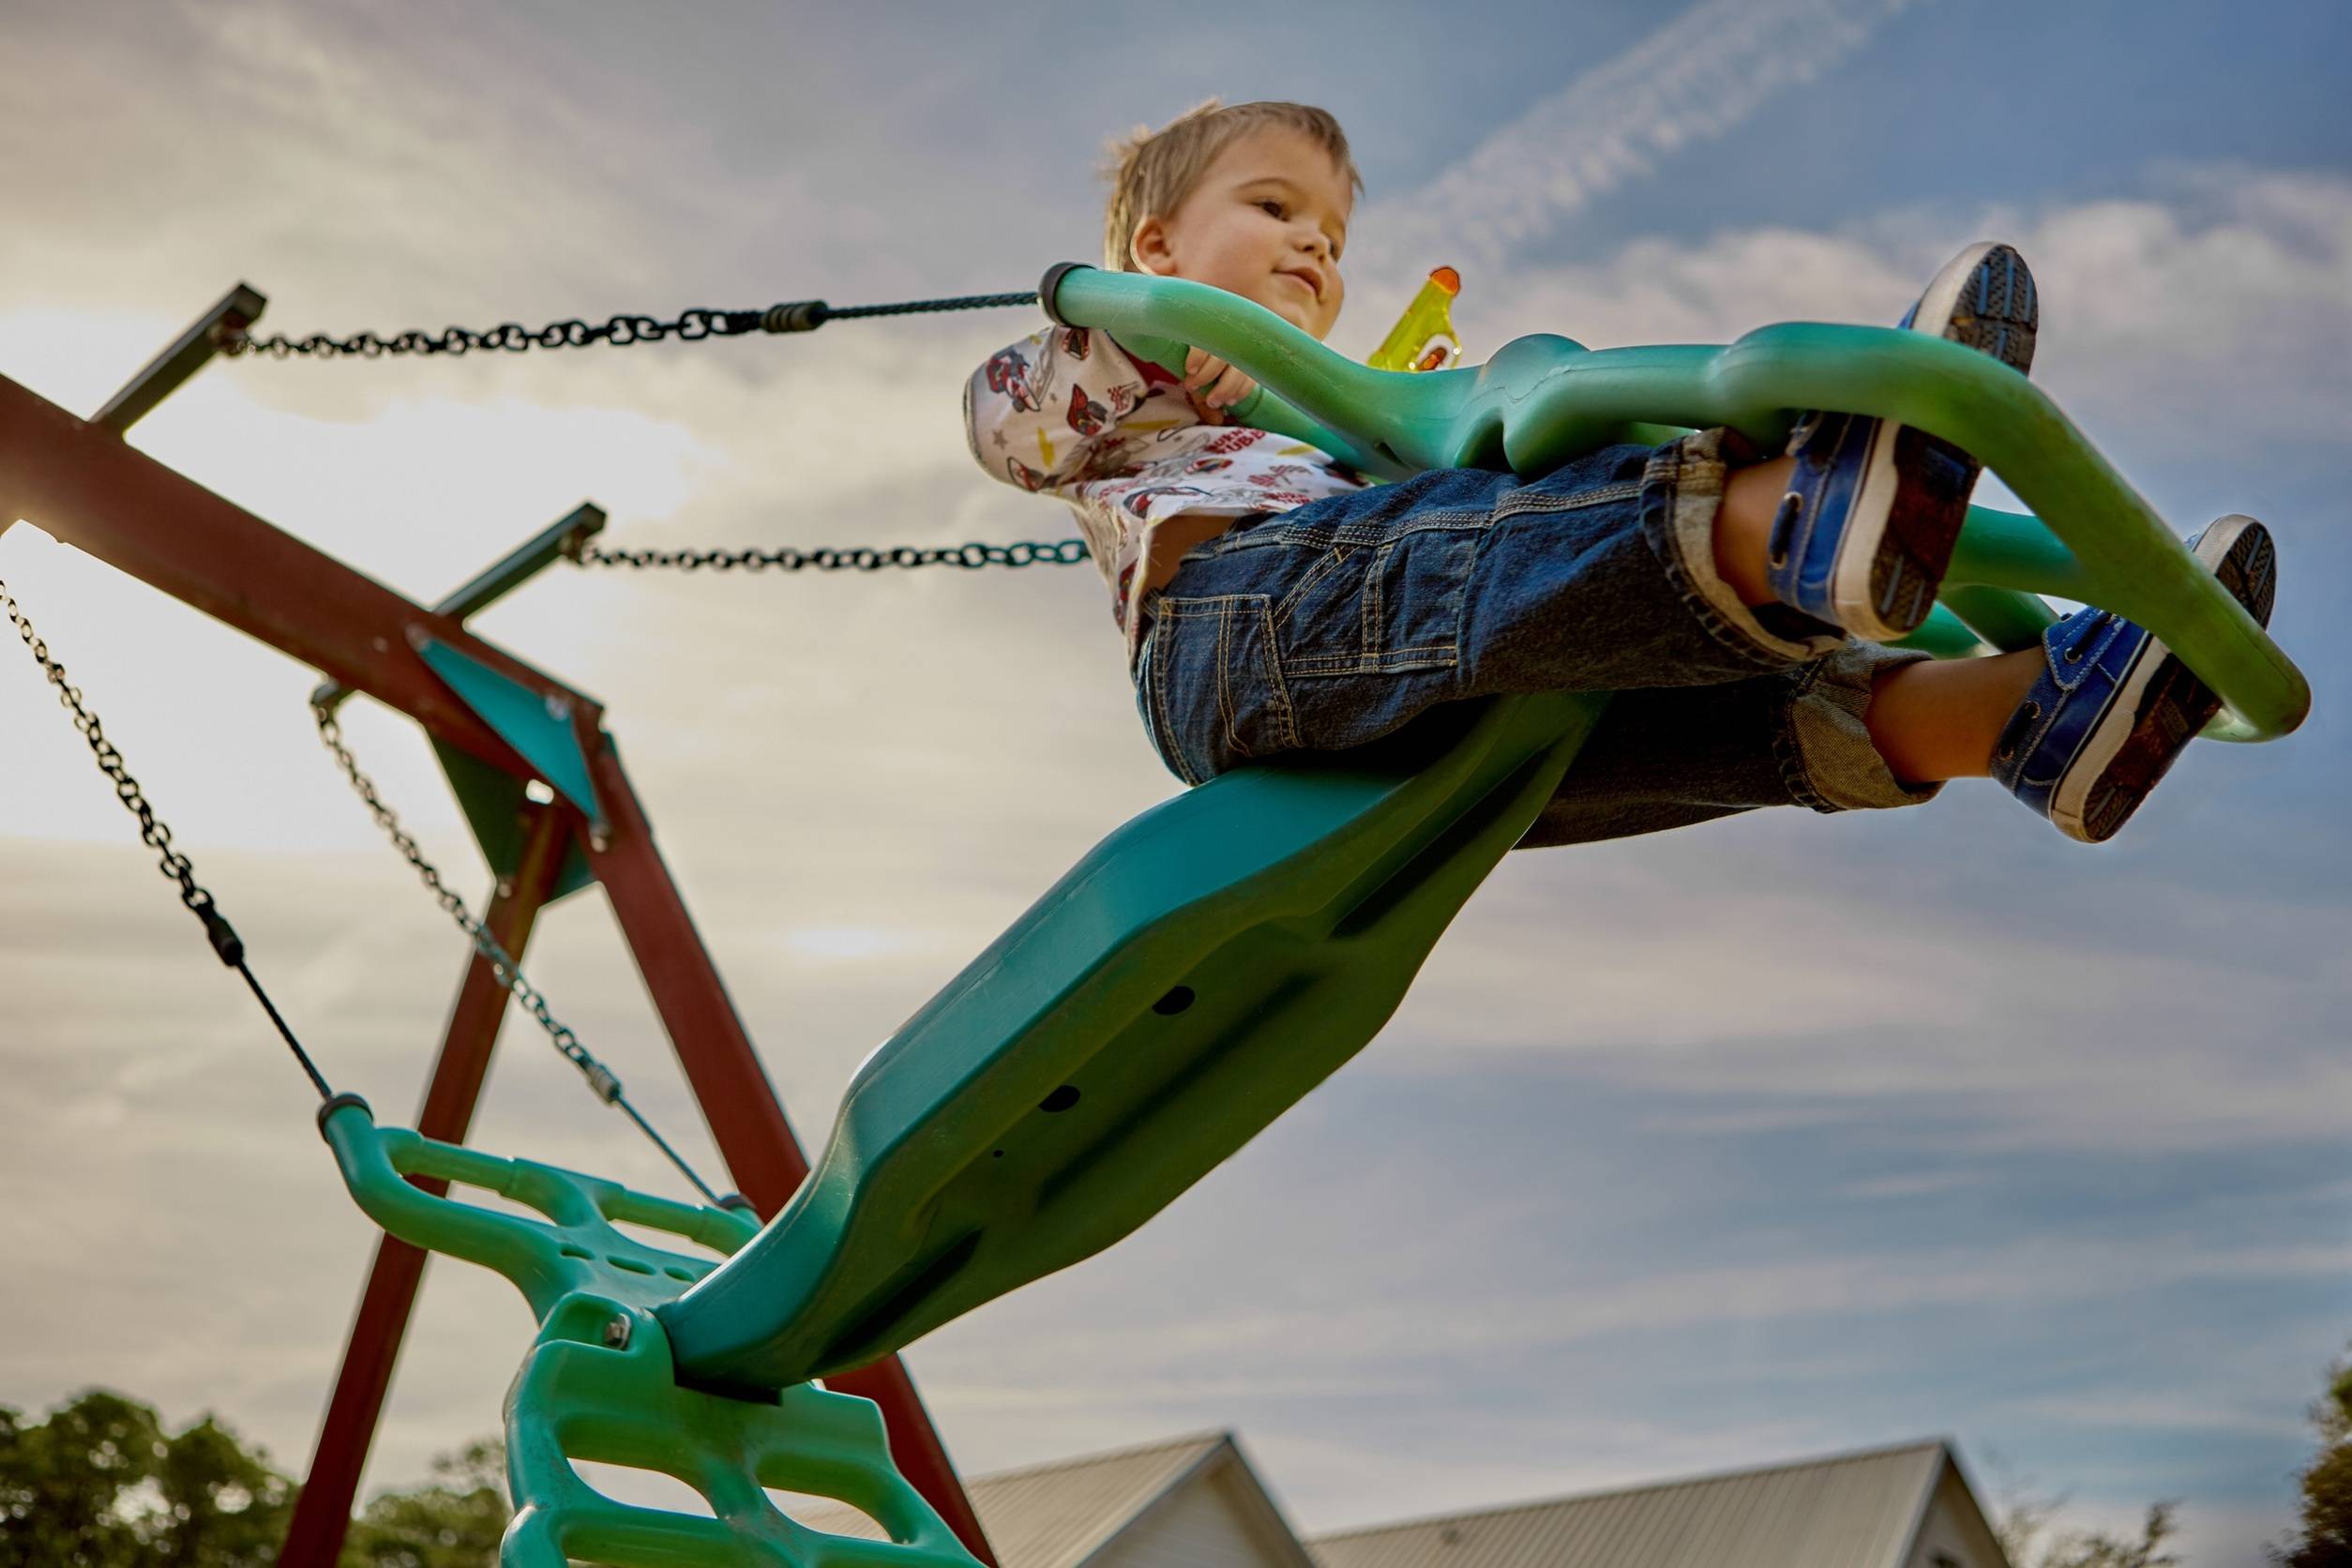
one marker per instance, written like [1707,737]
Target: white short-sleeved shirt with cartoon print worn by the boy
[1130,453]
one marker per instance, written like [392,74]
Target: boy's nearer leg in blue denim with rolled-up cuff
[1344,619]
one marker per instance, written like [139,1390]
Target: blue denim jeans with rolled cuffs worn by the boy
[1332,624]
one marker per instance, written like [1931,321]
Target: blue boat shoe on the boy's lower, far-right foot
[2116,706]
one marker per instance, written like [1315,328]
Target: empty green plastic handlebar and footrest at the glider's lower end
[601,1383]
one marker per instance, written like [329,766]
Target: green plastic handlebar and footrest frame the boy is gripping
[1544,401]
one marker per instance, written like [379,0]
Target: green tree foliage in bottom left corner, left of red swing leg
[100,1485]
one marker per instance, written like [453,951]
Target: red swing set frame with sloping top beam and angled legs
[81,483]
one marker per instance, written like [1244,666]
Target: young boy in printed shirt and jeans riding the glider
[1276,601]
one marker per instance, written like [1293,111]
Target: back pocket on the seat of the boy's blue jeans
[1217,688]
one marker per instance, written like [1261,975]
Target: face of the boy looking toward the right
[1267,222]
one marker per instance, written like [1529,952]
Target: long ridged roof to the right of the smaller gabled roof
[1857,1510]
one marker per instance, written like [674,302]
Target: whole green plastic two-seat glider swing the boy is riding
[1203,967]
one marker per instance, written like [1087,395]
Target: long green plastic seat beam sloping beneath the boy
[1184,986]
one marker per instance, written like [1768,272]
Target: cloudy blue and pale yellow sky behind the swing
[1744,1144]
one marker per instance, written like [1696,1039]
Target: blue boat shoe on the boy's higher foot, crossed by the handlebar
[1873,507]
